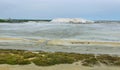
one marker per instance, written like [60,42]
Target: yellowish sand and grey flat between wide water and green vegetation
[59,45]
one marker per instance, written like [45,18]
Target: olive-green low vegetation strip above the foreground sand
[20,57]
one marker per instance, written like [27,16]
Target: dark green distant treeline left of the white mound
[21,20]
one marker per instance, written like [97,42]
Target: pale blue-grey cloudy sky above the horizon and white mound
[50,9]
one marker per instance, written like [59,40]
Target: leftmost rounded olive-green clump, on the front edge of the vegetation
[13,59]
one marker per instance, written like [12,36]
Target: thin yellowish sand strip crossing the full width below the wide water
[64,42]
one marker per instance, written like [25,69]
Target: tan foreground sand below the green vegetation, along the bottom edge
[75,66]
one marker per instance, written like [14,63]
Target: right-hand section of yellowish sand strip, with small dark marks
[77,42]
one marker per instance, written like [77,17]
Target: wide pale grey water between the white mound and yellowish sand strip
[97,32]
